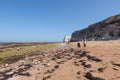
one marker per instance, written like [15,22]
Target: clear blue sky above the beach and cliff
[50,20]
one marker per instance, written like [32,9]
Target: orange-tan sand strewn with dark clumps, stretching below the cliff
[75,67]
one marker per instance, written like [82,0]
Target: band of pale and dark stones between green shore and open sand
[42,58]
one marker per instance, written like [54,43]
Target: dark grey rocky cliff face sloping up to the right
[107,29]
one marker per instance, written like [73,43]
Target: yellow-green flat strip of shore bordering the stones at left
[10,55]
